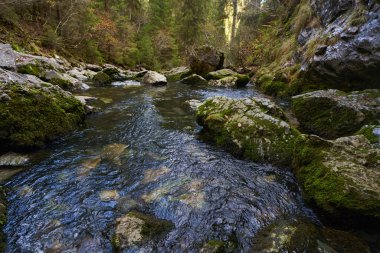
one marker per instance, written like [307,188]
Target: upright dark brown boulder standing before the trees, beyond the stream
[205,60]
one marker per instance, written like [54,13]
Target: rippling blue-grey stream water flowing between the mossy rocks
[142,152]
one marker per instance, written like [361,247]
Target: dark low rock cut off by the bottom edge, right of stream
[300,235]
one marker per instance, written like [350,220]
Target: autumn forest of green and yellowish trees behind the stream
[157,34]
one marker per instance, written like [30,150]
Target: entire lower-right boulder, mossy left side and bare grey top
[341,177]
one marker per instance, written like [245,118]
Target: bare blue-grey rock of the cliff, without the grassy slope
[346,46]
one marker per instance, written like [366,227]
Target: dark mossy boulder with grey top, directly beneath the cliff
[333,113]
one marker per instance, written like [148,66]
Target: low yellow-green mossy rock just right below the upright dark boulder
[226,78]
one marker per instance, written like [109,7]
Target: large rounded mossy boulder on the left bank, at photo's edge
[33,112]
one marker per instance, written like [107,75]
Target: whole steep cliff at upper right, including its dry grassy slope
[321,44]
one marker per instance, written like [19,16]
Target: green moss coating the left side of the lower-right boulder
[325,187]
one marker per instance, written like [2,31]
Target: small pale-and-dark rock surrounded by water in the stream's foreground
[137,228]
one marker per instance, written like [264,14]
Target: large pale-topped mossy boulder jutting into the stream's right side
[253,128]
